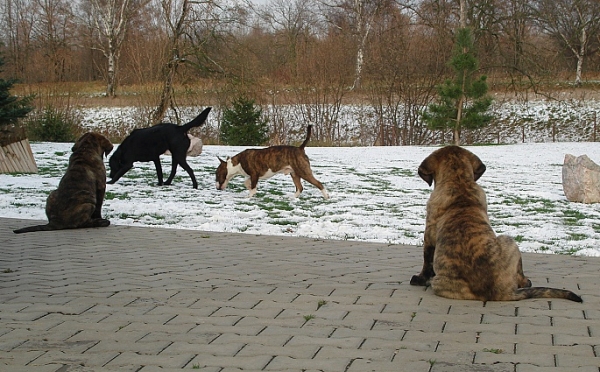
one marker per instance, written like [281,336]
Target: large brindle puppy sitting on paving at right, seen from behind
[463,257]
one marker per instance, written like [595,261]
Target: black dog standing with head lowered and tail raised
[148,144]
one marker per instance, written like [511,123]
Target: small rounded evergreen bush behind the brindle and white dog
[242,124]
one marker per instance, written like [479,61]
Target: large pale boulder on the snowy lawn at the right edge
[581,179]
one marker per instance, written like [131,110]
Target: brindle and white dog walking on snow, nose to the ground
[257,164]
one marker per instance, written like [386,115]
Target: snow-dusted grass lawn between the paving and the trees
[376,195]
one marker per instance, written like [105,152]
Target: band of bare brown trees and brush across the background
[322,53]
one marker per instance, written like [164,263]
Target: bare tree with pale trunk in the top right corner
[573,23]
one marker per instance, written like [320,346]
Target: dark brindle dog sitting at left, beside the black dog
[77,202]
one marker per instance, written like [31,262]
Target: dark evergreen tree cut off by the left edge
[12,108]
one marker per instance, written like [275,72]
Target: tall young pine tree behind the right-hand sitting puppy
[463,100]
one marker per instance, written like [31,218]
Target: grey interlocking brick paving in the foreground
[144,299]
